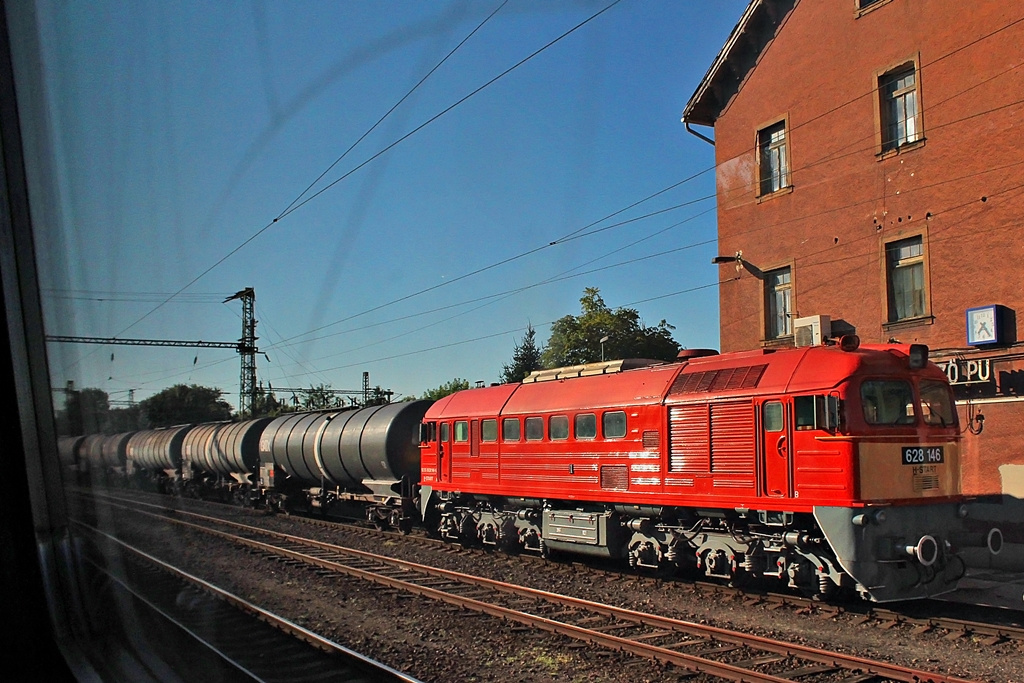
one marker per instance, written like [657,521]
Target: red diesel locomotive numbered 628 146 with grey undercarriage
[830,467]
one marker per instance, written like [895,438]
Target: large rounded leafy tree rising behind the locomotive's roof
[577,339]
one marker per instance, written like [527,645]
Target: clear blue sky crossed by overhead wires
[182,131]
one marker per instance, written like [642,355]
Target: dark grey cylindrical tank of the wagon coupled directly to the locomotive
[372,448]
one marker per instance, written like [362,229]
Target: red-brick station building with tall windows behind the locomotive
[871,172]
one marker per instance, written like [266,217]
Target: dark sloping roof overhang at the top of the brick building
[749,40]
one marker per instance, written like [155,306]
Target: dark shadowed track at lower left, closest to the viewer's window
[227,637]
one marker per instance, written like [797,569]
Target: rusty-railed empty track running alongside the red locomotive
[696,648]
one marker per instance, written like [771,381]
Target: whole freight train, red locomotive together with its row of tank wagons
[833,469]
